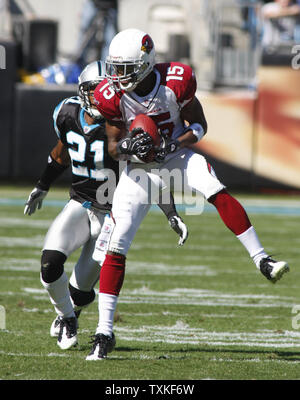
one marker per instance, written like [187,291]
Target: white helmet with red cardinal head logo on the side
[130,59]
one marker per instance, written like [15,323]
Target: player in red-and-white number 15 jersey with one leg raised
[166,92]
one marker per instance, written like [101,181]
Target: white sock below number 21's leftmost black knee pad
[60,296]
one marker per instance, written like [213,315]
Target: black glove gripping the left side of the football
[138,143]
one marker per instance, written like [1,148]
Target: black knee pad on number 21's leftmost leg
[52,265]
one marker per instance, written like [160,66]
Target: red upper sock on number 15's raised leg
[231,211]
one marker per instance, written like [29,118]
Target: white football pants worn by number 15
[140,186]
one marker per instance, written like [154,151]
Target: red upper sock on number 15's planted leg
[112,274]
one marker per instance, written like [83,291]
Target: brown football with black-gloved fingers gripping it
[145,131]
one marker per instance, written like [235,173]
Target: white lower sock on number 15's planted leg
[107,304]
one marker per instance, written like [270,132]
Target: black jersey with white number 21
[92,166]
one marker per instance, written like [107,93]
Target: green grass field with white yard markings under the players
[202,311]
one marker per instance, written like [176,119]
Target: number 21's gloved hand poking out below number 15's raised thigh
[175,221]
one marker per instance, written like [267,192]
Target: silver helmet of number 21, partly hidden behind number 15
[89,78]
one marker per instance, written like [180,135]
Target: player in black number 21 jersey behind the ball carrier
[82,144]
